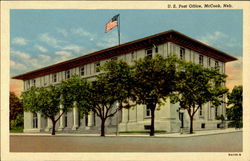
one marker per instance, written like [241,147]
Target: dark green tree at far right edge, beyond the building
[234,113]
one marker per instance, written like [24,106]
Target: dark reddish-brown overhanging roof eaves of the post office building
[168,36]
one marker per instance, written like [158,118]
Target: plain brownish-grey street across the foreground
[227,142]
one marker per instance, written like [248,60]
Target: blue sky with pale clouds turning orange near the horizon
[40,38]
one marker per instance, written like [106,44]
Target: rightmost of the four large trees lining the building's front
[197,85]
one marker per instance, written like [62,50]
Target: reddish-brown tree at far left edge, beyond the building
[16,108]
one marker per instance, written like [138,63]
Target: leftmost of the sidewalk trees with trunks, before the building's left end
[44,100]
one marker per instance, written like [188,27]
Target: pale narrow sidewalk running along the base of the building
[169,135]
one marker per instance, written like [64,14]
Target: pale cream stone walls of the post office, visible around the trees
[136,118]
